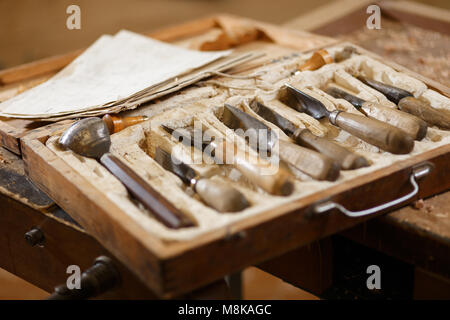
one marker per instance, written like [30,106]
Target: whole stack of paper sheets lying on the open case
[117,73]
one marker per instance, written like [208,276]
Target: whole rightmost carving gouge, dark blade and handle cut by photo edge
[408,103]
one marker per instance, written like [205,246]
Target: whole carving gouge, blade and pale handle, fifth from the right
[308,161]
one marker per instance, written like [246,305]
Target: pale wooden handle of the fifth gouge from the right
[312,163]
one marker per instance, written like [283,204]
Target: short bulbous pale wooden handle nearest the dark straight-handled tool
[220,196]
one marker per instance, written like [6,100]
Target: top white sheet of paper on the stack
[112,69]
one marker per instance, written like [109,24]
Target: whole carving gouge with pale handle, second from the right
[412,125]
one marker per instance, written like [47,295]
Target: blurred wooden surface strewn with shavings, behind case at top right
[416,36]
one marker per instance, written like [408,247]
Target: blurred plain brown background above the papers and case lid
[34,29]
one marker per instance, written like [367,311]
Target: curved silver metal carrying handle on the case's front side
[417,173]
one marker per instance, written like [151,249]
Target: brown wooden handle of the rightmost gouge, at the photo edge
[424,111]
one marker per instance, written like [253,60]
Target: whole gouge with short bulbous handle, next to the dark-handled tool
[217,195]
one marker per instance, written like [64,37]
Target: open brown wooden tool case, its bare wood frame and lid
[172,267]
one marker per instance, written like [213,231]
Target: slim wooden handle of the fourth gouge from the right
[346,158]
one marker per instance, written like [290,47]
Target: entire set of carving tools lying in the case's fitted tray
[390,129]
